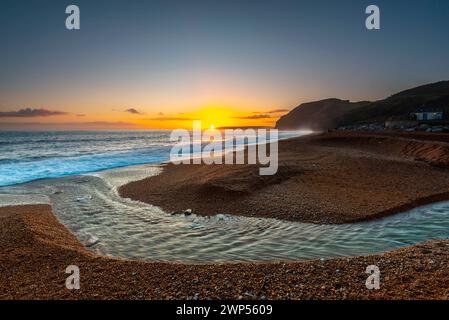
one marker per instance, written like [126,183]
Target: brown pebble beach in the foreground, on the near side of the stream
[35,249]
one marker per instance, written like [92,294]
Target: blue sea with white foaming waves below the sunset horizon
[28,156]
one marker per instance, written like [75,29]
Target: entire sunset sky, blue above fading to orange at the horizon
[160,64]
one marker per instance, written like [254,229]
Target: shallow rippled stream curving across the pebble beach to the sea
[90,206]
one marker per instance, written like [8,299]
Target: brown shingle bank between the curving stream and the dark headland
[332,178]
